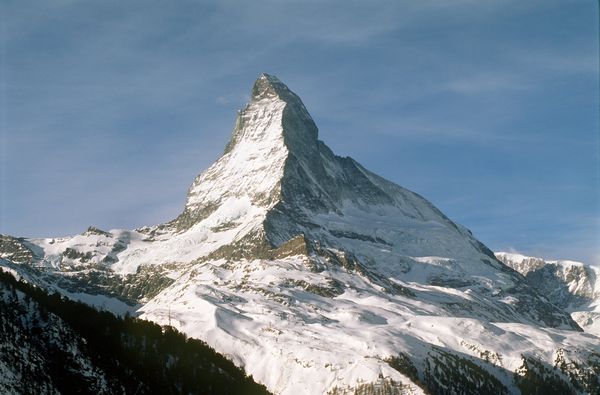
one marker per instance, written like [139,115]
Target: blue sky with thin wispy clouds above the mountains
[489,109]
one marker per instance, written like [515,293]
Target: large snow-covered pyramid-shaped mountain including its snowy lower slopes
[317,276]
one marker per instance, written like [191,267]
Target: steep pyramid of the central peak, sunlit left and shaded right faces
[275,164]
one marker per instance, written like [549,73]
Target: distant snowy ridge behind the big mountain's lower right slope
[572,286]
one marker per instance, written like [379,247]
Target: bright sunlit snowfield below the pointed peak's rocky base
[287,343]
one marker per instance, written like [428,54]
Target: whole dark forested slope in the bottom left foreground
[52,345]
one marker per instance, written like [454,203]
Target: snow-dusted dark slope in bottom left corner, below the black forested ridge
[30,334]
